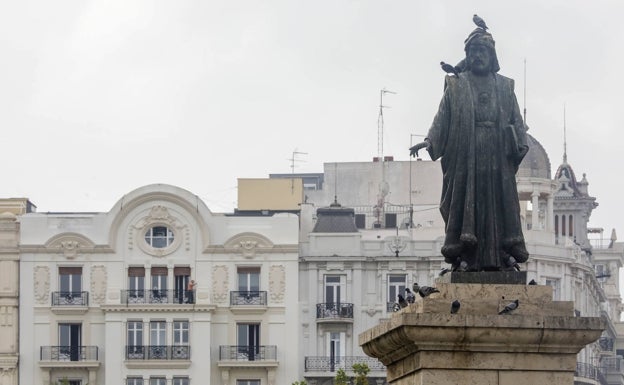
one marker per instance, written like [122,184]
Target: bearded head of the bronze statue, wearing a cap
[480,53]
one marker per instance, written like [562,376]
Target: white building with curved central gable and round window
[107,298]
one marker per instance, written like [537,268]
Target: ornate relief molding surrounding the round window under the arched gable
[159,216]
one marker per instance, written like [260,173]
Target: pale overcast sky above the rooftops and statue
[99,98]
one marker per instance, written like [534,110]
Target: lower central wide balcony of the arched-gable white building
[158,356]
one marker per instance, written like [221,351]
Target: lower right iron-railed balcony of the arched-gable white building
[247,356]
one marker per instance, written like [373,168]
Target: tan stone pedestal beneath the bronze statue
[535,344]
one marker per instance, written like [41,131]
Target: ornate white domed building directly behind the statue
[351,276]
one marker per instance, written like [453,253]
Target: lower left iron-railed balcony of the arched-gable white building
[69,357]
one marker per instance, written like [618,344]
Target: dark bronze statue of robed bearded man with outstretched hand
[480,136]
